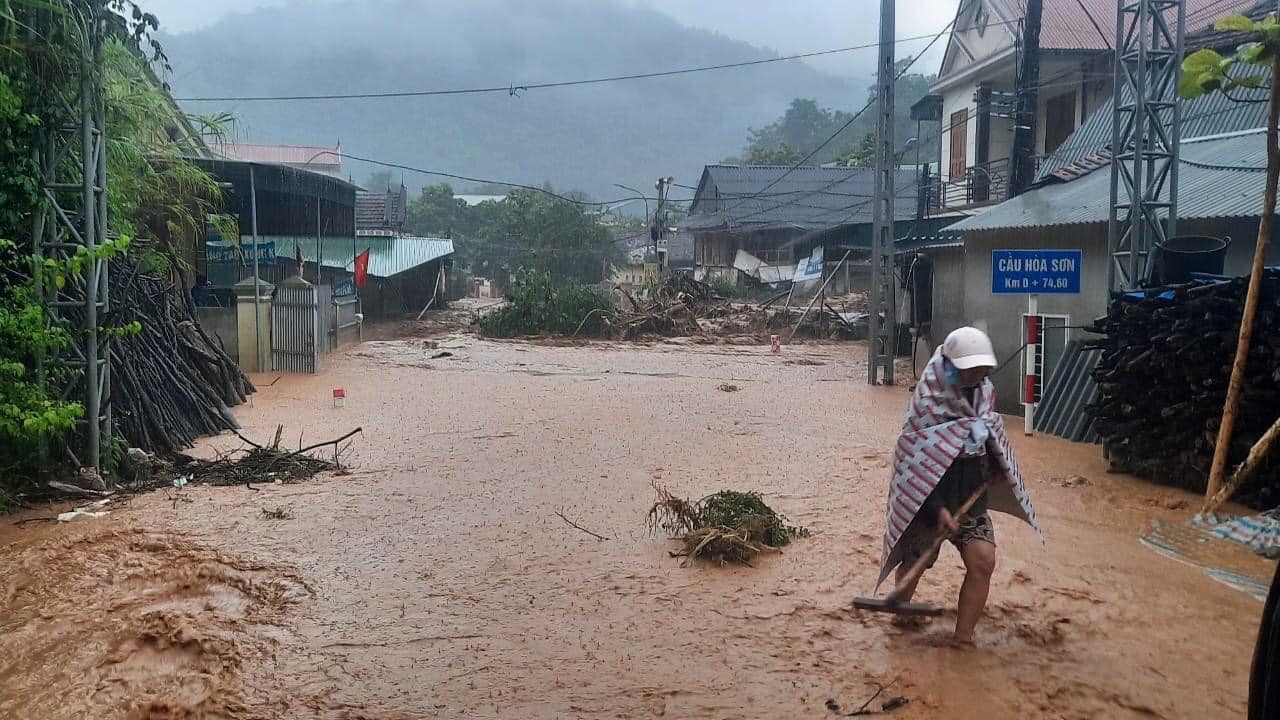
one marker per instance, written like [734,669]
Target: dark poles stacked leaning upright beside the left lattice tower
[171,384]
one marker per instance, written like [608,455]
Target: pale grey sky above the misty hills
[787,26]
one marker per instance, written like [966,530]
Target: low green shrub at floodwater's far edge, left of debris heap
[537,306]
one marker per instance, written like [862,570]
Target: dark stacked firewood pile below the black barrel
[1165,367]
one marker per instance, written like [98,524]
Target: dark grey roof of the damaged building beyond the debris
[779,197]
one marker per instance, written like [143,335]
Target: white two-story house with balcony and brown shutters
[977,86]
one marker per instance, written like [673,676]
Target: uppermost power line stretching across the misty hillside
[518,89]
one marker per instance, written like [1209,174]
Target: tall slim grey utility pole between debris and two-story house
[881,326]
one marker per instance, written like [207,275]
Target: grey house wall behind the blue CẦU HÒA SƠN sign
[962,285]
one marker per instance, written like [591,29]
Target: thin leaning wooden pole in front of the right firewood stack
[1223,449]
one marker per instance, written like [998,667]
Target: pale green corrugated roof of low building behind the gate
[387,256]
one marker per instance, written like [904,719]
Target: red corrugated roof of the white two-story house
[1076,25]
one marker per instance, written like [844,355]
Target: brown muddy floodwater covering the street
[438,581]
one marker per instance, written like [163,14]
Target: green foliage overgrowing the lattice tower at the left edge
[152,192]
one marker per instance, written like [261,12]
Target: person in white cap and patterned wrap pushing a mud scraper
[954,445]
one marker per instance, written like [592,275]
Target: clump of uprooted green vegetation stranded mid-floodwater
[726,527]
